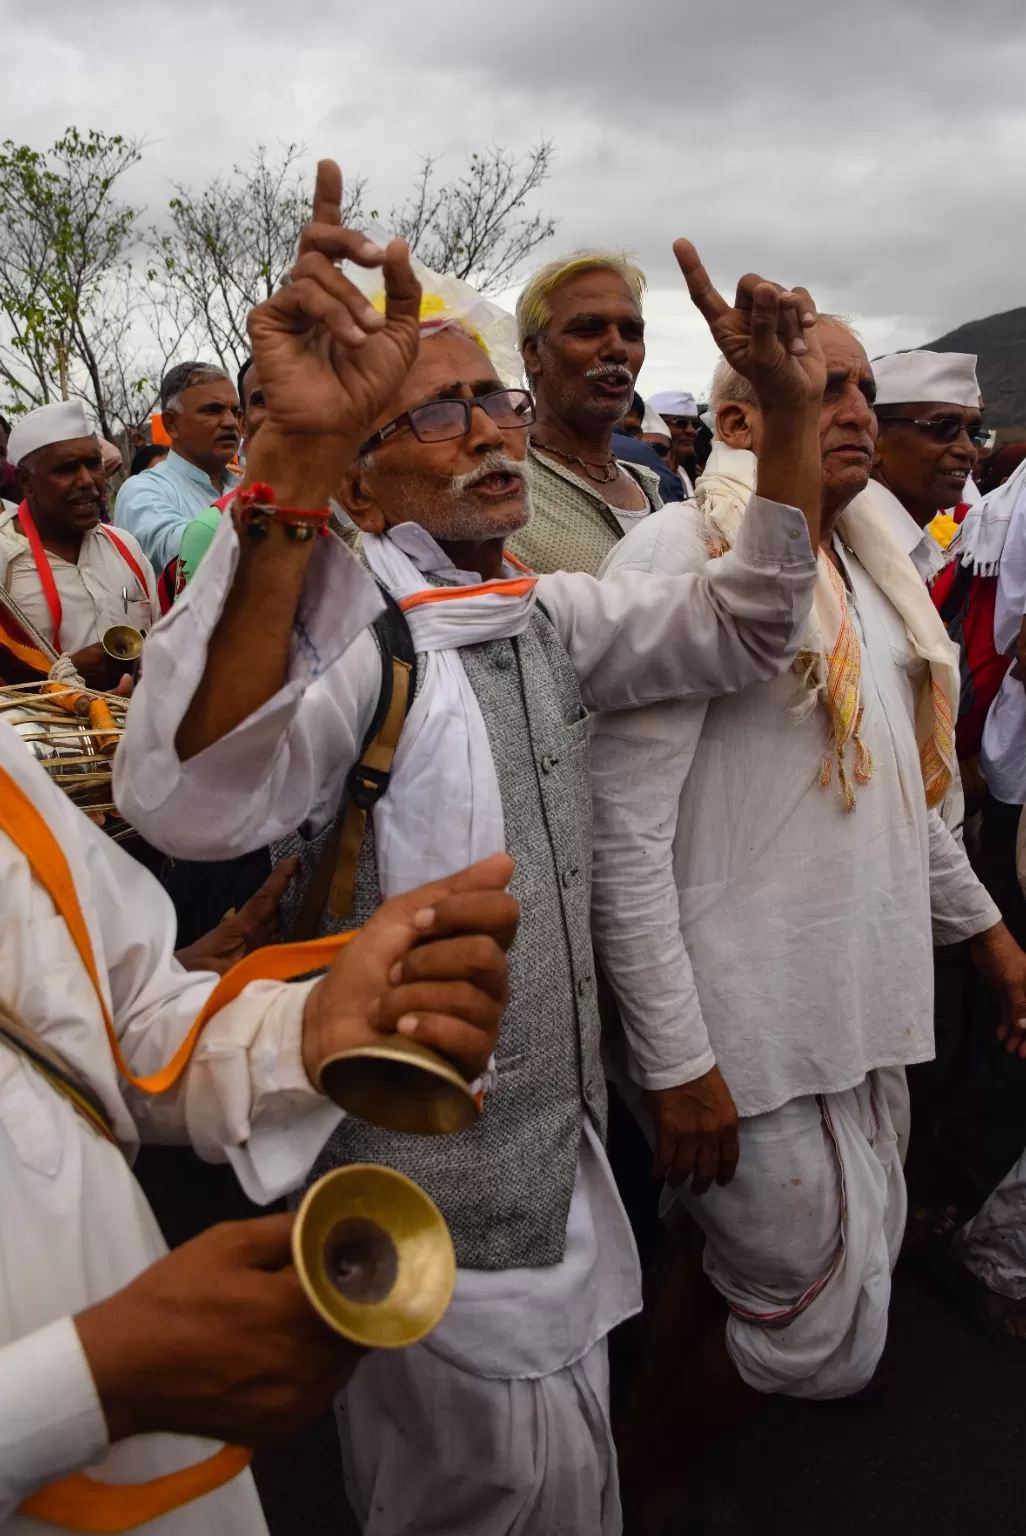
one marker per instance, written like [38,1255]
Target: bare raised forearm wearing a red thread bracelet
[250,649]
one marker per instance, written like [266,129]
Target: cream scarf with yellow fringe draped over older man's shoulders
[830,660]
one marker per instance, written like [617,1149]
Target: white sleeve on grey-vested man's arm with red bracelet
[286,764]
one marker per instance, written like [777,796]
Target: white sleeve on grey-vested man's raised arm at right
[641,637]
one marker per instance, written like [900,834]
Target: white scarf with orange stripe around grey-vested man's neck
[445,810]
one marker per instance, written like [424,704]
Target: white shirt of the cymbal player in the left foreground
[74,1225]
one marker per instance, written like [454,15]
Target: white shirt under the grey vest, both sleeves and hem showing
[286,766]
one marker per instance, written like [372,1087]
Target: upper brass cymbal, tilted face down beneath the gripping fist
[403,1087]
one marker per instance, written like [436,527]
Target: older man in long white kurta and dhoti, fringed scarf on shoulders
[766,905]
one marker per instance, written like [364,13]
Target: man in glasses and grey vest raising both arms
[256,707]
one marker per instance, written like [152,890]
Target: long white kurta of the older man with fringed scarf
[743,918]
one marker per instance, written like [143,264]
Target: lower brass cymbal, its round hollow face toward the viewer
[374,1256]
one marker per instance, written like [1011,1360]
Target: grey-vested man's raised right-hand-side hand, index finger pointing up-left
[769,336]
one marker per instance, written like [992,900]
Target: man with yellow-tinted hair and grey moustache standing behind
[583,342]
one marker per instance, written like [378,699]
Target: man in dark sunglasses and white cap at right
[930,414]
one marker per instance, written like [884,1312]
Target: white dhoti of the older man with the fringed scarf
[804,1240]
